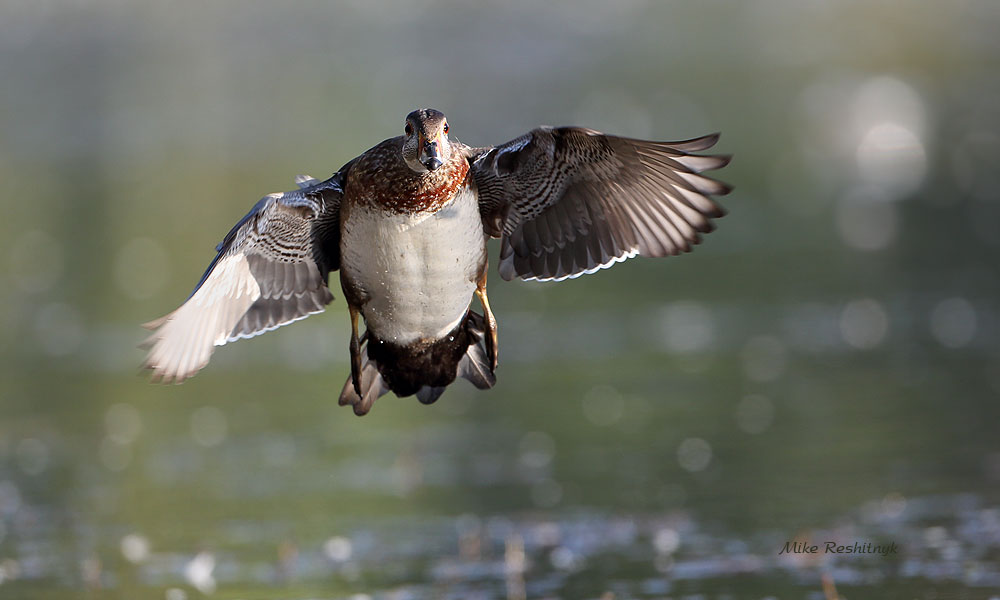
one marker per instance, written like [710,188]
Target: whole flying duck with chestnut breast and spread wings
[407,222]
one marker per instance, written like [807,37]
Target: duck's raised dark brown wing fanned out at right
[568,201]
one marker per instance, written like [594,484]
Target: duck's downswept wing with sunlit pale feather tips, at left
[271,269]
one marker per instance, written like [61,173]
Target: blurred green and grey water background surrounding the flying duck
[824,367]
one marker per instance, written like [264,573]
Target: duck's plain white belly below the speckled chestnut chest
[419,270]
